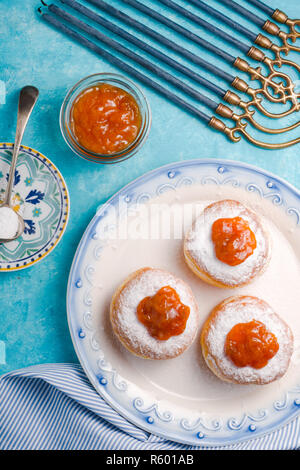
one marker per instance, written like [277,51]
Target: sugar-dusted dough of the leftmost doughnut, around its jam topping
[132,333]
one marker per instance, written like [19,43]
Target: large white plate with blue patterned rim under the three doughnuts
[180,399]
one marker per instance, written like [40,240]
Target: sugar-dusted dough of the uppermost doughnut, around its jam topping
[199,249]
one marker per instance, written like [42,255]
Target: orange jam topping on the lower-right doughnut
[251,344]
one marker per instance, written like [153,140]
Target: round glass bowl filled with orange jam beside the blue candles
[105,118]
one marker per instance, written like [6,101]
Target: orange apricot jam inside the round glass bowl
[105,119]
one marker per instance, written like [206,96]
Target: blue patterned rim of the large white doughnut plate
[124,397]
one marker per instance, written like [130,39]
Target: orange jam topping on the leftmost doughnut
[163,314]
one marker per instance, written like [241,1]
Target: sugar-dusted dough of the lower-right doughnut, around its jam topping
[244,309]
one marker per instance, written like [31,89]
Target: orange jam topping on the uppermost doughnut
[233,239]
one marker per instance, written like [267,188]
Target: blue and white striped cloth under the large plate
[54,406]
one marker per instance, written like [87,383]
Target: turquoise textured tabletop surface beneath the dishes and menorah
[33,326]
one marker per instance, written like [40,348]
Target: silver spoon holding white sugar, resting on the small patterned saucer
[27,99]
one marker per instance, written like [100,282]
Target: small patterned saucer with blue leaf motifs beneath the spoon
[40,195]
